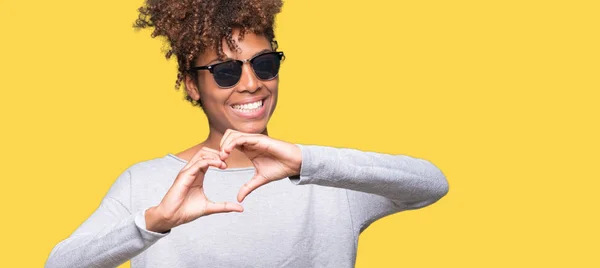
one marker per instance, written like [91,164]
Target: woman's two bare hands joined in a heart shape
[185,200]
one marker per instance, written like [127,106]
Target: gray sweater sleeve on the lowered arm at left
[111,236]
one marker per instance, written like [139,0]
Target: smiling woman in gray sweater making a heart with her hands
[308,204]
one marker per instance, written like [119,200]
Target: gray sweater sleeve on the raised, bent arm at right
[377,184]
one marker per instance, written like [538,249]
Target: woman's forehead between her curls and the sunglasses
[246,48]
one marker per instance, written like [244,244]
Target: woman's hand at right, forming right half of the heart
[273,159]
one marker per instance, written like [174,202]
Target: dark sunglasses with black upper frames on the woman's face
[228,73]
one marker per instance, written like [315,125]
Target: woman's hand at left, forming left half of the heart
[185,201]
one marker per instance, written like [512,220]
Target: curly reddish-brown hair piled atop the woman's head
[192,26]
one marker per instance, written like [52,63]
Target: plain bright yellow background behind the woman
[500,95]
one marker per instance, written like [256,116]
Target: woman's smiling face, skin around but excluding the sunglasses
[245,107]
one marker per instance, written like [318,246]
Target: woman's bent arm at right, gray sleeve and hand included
[376,184]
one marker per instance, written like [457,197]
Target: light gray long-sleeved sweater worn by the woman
[312,220]
